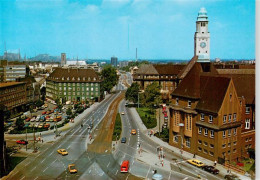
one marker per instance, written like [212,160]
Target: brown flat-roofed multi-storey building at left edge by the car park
[13,96]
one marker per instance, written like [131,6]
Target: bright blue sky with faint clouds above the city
[100,29]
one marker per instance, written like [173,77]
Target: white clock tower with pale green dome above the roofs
[202,37]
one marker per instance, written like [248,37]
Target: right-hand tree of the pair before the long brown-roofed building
[152,95]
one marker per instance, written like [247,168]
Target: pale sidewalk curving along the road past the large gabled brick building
[186,155]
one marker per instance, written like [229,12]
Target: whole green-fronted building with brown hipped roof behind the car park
[74,85]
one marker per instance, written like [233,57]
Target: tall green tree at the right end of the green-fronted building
[109,77]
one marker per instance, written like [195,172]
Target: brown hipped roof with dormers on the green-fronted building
[74,75]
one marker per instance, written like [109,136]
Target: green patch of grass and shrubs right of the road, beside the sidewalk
[147,116]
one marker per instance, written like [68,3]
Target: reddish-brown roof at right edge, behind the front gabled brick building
[245,86]
